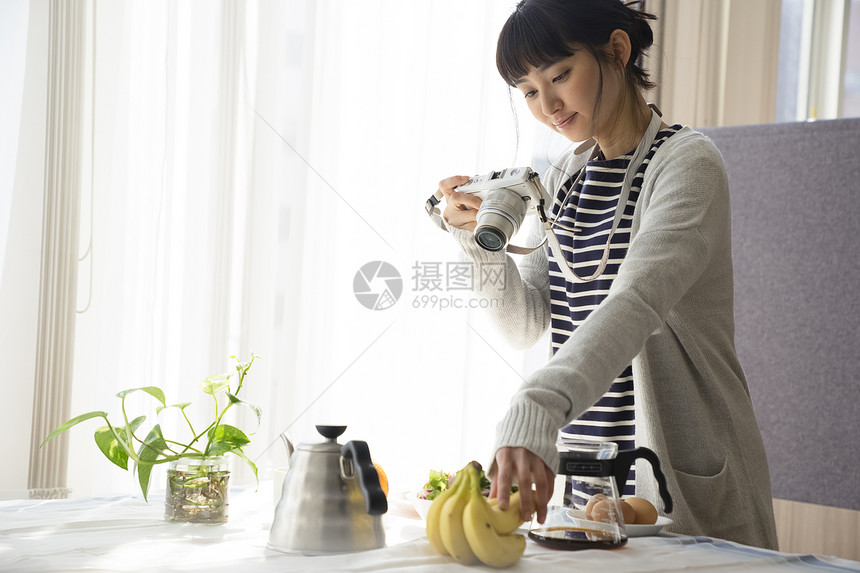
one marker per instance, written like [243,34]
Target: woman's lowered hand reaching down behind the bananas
[529,469]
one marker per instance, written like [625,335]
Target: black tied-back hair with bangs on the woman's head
[541,32]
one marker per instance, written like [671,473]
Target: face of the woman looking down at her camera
[562,94]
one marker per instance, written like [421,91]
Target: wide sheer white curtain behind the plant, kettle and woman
[247,159]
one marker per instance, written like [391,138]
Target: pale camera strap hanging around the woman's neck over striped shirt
[637,160]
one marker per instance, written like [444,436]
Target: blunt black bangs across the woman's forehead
[529,39]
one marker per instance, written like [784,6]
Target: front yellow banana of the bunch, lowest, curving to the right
[493,549]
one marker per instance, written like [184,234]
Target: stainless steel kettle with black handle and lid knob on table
[331,500]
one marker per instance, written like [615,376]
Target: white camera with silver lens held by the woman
[507,196]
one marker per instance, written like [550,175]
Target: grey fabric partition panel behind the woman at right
[795,192]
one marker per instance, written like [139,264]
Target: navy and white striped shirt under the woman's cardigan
[582,229]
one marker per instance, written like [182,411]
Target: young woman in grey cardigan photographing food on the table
[643,343]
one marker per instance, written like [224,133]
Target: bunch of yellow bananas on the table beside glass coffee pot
[463,524]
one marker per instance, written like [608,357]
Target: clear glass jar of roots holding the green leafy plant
[197,490]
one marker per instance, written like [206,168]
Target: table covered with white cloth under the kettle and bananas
[127,534]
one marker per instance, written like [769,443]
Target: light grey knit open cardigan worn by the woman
[670,313]
